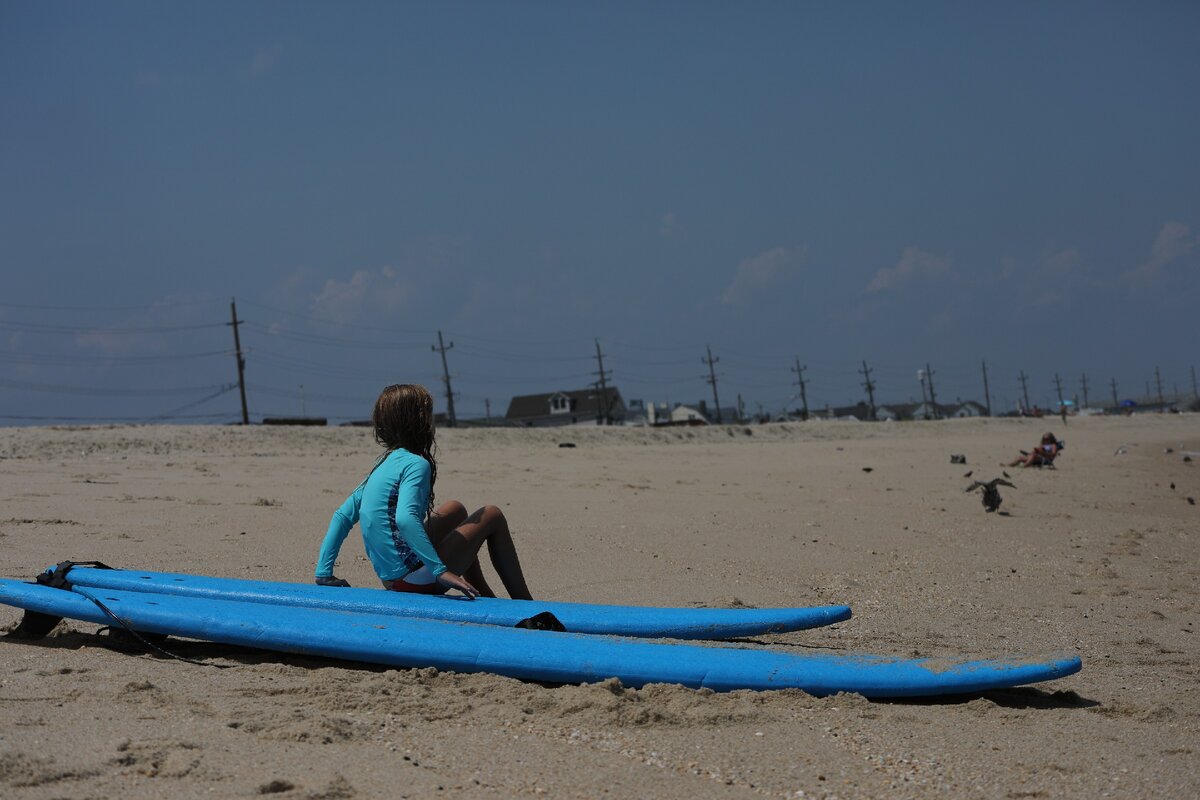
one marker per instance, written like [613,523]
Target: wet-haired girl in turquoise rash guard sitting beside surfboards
[391,504]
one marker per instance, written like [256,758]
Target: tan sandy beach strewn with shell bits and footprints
[1095,558]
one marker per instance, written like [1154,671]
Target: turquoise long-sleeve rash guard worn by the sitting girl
[391,508]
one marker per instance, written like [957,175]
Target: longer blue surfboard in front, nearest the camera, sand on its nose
[529,655]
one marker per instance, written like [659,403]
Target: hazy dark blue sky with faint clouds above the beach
[952,183]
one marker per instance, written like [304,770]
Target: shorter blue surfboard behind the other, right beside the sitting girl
[579,618]
